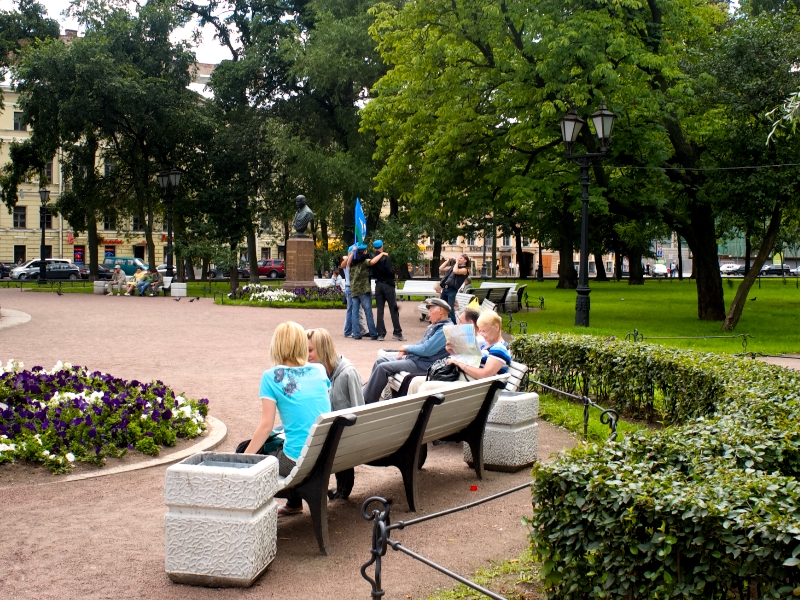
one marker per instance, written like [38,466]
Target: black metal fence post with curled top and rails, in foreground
[381,542]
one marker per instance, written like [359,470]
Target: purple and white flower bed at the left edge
[66,414]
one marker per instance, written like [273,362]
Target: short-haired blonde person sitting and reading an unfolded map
[495,358]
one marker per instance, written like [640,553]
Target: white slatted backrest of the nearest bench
[382,427]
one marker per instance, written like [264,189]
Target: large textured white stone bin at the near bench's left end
[221,527]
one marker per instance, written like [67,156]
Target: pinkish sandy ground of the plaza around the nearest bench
[103,538]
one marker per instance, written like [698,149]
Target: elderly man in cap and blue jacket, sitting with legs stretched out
[414,358]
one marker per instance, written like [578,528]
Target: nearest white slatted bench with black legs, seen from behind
[390,433]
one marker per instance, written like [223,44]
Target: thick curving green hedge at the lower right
[704,508]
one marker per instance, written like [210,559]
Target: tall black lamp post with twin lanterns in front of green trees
[571,125]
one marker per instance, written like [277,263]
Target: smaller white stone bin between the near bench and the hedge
[510,442]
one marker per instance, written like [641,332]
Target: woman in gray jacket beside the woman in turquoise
[345,391]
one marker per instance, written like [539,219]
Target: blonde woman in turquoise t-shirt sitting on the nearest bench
[298,390]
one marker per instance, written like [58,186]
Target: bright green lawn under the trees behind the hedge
[669,308]
